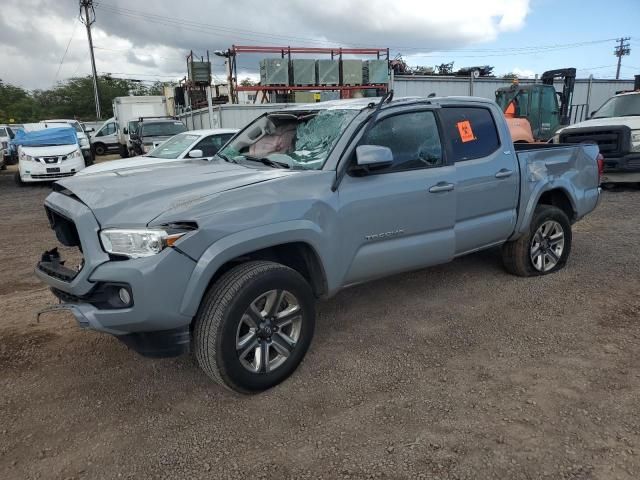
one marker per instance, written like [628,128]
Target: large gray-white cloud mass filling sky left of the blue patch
[33,43]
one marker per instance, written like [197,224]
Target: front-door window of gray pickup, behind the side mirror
[412,137]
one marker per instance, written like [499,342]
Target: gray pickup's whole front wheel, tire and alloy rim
[254,326]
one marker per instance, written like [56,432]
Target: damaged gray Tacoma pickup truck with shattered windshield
[226,257]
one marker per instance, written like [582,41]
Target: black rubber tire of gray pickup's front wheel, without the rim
[220,315]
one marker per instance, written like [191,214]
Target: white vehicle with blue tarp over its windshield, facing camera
[41,161]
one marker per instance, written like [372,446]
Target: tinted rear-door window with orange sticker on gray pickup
[471,132]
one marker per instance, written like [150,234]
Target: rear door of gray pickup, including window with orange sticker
[486,177]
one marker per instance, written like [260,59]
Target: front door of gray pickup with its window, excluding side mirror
[400,217]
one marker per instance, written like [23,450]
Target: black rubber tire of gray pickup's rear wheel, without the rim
[516,255]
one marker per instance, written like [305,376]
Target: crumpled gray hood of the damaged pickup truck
[134,197]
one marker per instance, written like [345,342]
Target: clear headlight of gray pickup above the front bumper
[136,243]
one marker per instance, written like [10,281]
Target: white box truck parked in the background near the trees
[127,111]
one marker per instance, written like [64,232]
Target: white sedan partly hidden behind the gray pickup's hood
[184,146]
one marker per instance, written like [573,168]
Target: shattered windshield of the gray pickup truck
[297,140]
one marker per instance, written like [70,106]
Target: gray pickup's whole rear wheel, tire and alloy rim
[544,249]
